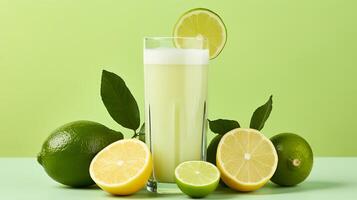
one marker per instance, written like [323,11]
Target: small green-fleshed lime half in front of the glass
[197,178]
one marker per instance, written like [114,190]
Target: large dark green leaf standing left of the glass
[119,101]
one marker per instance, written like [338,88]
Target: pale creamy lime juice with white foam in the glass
[175,107]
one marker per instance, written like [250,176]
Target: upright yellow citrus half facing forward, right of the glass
[246,159]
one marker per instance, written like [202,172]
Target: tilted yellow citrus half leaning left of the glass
[123,167]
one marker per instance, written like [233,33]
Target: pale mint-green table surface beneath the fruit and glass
[331,178]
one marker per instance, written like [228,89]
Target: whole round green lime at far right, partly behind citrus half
[295,159]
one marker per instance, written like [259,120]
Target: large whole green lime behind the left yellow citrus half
[68,151]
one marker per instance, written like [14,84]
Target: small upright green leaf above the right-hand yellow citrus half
[261,115]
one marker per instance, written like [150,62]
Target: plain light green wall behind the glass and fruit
[301,51]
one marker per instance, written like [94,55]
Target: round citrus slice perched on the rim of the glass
[202,23]
